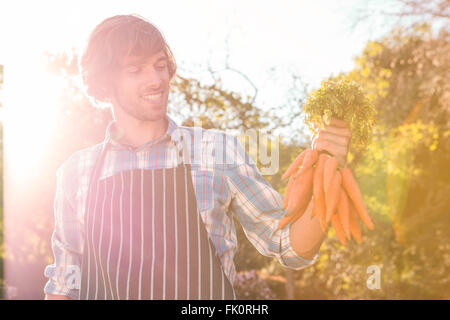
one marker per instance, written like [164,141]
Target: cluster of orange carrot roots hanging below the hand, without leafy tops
[335,194]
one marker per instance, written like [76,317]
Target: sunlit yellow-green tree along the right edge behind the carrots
[402,174]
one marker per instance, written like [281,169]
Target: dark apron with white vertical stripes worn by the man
[145,239]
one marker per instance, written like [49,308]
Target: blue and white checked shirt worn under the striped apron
[226,181]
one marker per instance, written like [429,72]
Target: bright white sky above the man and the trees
[268,41]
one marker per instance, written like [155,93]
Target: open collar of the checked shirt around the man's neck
[114,135]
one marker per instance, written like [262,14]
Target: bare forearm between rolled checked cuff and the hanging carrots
[306,235]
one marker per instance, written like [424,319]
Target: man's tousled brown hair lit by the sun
[110,42]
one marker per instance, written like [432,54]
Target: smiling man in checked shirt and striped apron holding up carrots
[147,214]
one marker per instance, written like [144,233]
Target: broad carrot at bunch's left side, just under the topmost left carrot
[301,192]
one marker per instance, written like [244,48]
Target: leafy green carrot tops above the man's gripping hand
[345,100]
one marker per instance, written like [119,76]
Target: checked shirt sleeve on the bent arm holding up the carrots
[258,208]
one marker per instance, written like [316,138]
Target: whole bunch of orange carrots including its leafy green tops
[335,194]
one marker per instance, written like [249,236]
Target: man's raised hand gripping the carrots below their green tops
[335,139]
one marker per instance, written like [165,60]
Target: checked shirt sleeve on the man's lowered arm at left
[64,275]
